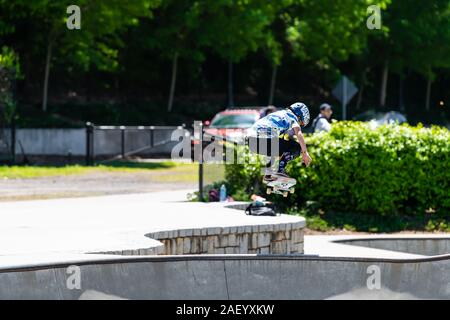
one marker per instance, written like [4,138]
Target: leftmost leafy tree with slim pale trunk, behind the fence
[100,21]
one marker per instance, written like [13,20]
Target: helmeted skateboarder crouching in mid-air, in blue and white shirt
[277,131]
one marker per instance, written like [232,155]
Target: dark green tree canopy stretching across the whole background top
[123,48]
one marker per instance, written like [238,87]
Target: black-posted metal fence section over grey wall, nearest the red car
[107,143]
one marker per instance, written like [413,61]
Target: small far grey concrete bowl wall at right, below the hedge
[422,246]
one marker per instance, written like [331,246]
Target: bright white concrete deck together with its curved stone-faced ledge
[157,223]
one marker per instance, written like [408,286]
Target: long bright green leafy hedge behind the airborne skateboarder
[388,170]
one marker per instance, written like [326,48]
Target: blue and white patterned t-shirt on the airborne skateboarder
[274,124]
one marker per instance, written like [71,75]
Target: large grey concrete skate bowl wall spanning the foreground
[232,277]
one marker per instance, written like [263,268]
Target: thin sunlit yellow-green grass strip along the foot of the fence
[27,172]
